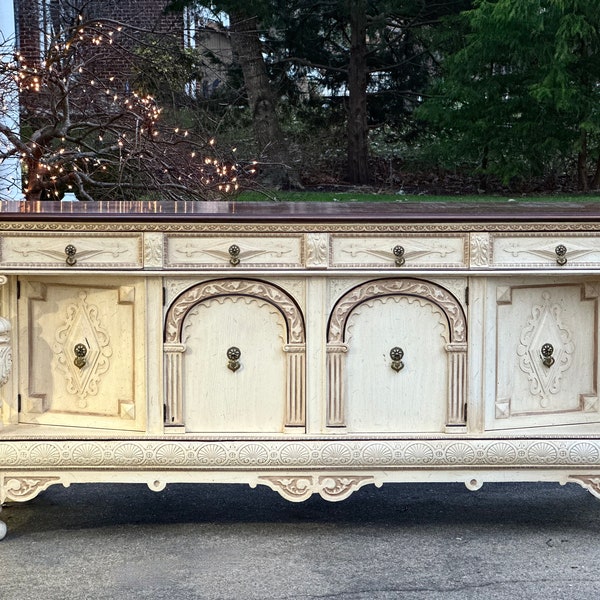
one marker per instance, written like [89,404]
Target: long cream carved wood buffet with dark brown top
[311,348]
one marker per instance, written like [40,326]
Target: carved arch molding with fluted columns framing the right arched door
[456,348]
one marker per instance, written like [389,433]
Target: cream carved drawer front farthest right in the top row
[546,251]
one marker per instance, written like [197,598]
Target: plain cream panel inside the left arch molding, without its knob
[251,398]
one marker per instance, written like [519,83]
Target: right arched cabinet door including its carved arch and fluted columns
[397,358]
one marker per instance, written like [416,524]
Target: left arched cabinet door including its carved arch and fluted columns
[234,351]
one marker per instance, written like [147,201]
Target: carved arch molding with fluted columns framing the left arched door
[295,346]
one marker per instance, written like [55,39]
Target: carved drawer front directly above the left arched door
[233,251]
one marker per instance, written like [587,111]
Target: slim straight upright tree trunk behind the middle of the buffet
[358,165]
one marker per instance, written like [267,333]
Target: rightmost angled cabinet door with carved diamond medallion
[546,366]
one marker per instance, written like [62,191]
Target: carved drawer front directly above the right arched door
[398,251]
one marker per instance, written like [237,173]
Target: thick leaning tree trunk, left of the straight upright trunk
[272,147]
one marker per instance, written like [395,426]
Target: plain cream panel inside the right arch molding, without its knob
[412,398]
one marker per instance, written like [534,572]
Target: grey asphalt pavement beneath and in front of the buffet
[220,542]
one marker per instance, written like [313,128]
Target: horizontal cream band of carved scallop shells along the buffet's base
[248,454]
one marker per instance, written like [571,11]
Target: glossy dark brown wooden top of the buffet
[303,212]
